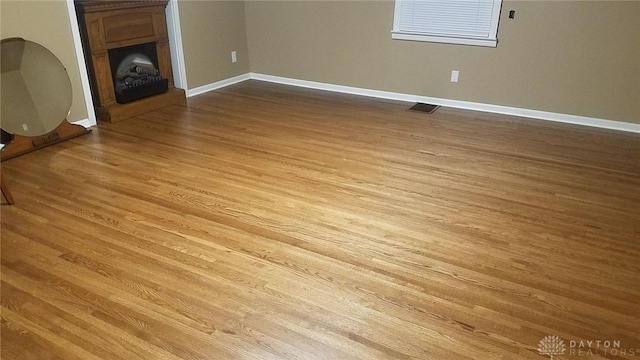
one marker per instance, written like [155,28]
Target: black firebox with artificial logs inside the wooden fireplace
[135,72]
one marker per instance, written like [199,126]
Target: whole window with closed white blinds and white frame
[470,22]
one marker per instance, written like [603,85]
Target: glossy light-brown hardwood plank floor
[263,221]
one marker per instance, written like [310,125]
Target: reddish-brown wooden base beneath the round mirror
[23,144]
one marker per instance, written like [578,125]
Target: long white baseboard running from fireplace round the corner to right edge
[458,104]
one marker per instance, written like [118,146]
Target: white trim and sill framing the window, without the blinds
[491,41]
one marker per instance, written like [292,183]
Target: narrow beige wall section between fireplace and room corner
[210,31]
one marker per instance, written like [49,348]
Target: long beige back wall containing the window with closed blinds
[570,57]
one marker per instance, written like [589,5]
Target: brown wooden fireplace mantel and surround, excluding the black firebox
[106,25]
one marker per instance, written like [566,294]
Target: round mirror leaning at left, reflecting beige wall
[35,89]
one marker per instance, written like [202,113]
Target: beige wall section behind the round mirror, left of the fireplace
[46,23]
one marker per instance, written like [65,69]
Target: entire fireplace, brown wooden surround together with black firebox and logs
[128,56]
